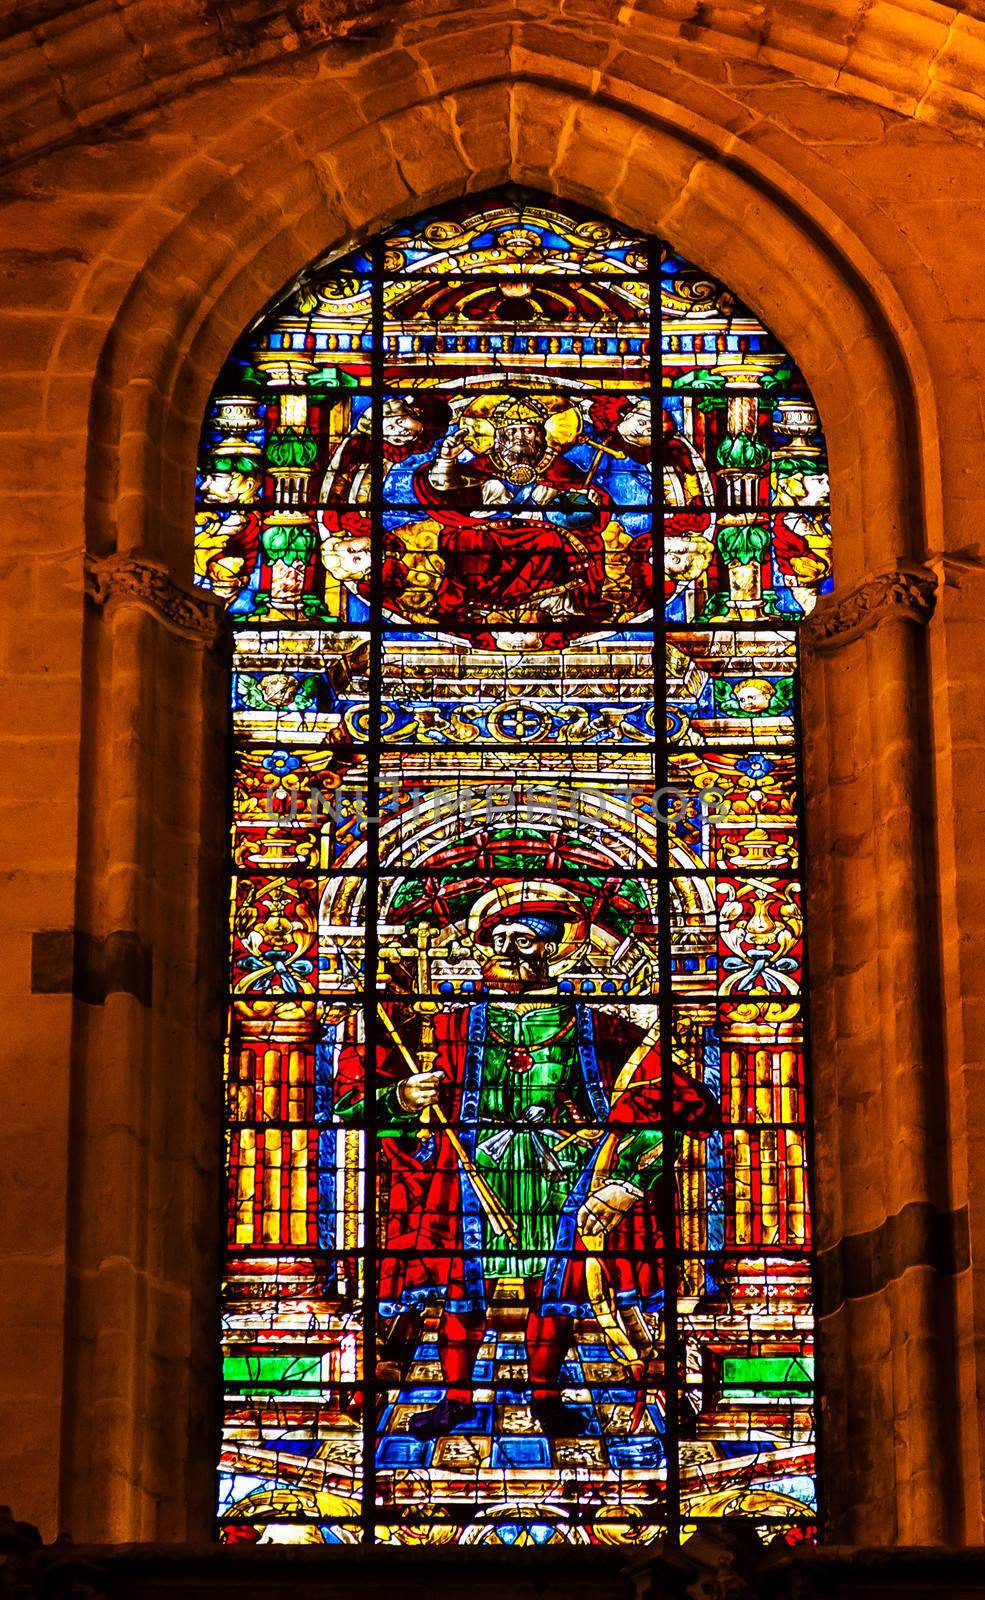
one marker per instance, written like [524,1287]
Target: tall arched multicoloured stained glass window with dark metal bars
[516,514]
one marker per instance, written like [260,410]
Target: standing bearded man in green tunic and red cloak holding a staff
[556,1111]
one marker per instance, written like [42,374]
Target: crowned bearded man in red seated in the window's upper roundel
[522,530]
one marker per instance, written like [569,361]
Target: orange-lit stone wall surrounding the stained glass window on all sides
[169,167]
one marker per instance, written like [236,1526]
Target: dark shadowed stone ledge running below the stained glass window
[719,1562]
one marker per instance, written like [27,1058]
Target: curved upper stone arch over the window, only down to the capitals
[658,164]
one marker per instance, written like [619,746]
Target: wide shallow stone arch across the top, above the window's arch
[851,52]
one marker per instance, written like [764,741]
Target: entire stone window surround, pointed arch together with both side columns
[151,849]
